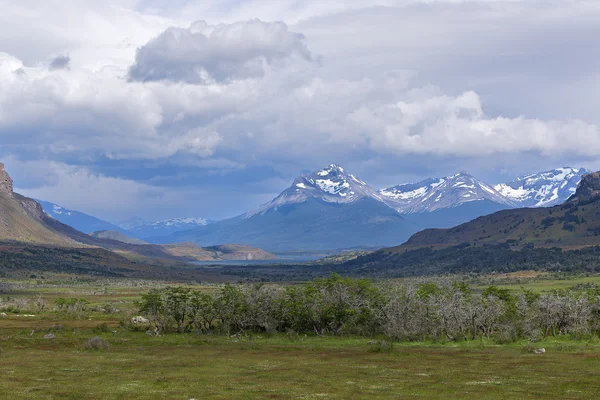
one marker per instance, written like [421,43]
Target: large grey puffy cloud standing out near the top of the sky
[221,53]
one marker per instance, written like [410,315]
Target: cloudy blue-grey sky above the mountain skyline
[162,109]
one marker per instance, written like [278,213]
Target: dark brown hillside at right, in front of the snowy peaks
[574,224]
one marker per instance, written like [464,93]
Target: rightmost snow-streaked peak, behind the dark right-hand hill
[544,189]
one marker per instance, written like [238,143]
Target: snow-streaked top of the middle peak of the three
[437,194]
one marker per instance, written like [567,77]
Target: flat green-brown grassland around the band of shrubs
[186,366]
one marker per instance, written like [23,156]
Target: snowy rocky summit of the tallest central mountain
[331,184]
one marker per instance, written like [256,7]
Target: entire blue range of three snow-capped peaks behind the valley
[332,209]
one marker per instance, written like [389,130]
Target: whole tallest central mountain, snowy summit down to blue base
[326,210]
